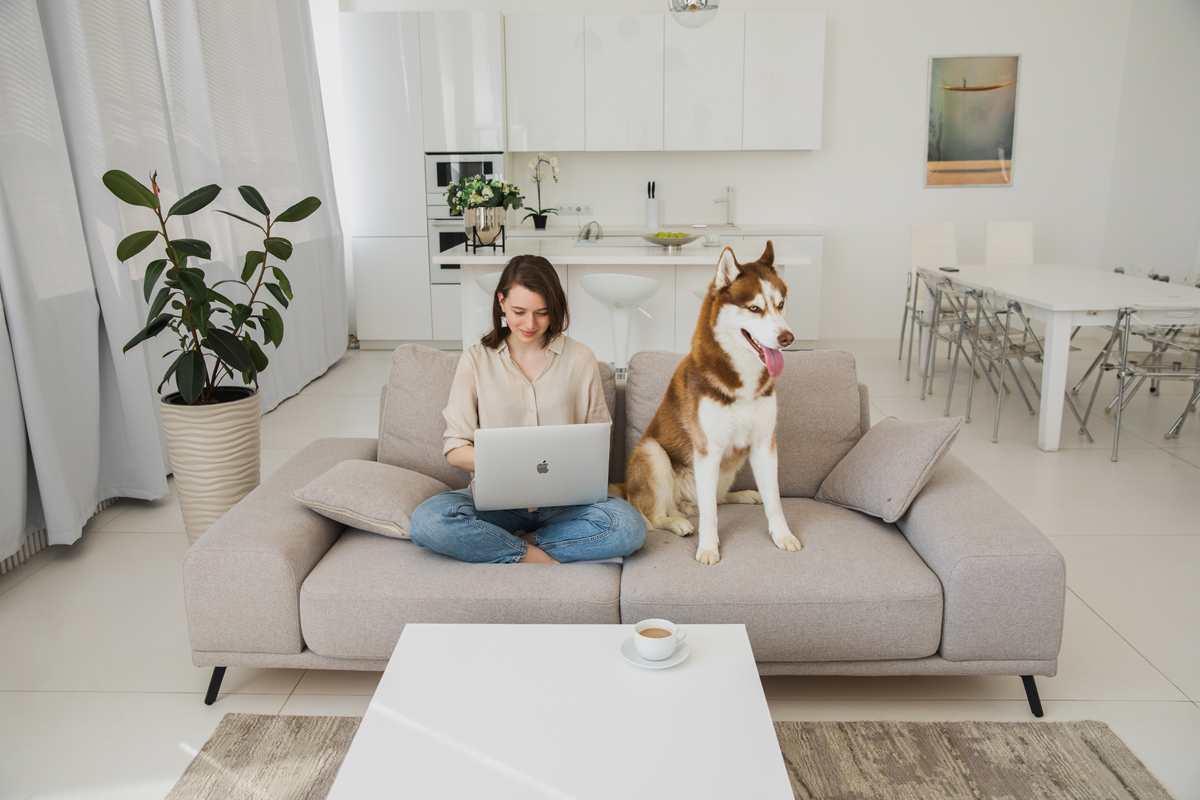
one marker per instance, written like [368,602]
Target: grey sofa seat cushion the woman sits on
[358,599]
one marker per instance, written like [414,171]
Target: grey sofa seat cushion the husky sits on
[857,592]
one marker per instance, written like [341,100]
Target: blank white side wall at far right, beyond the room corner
[1154,214]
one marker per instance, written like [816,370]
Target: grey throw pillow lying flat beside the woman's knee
[370,496]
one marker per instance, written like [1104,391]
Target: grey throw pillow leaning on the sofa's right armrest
[884,473]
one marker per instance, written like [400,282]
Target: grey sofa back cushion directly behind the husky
[819,419]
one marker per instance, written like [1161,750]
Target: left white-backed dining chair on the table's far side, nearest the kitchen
[931,245]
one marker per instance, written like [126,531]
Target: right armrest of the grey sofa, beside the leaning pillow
[1004,582]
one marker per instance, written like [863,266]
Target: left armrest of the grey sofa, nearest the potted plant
[242,579]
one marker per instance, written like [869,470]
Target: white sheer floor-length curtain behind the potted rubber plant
[203,92]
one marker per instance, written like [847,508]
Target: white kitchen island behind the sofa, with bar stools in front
[670,315]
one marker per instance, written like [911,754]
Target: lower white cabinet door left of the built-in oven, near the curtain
[392,288]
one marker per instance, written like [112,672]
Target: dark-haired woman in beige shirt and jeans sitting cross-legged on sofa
[525,372]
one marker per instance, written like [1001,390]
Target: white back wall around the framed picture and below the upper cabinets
[866,184]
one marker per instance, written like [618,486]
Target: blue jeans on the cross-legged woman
[449,524]
